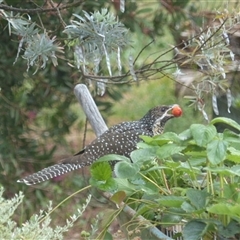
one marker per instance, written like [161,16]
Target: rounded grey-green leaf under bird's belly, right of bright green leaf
[125,170]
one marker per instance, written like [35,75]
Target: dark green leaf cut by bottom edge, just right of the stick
[194,230]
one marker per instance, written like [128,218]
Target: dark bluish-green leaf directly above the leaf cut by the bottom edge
[198,198]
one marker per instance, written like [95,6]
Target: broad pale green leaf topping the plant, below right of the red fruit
[203,134]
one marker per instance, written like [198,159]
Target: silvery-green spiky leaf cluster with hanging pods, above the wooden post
[94,36]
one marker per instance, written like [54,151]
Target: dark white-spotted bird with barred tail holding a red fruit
[120,139]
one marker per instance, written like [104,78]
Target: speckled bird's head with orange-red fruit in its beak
[159,115]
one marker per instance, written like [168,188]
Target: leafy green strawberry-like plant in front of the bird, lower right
[189,179]
